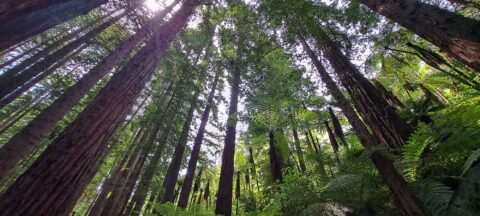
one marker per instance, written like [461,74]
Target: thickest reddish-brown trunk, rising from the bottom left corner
[52,185]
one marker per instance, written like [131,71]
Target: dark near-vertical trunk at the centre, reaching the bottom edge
[225,185]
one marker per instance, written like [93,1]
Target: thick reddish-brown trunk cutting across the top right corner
[454,34]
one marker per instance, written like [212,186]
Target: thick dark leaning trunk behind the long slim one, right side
[377,113]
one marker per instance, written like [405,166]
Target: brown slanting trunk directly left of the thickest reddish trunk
[31,135]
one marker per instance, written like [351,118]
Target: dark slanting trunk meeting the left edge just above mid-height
[9,84]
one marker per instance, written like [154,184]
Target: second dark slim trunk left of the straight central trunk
[174,167]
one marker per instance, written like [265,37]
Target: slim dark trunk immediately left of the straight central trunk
[192,163]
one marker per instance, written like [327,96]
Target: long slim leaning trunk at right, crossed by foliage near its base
[388,172]
